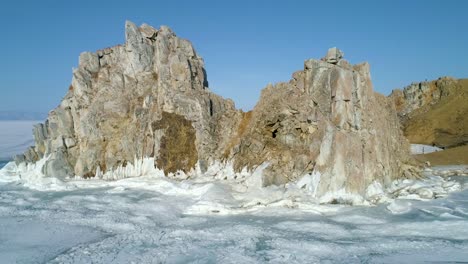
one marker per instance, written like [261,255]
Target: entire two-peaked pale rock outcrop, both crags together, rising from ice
[150,98]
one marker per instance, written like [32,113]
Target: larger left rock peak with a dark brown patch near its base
[147,98]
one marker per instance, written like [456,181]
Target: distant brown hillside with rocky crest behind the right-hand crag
[434,112]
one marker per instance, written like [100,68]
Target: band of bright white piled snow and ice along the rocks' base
[238,192]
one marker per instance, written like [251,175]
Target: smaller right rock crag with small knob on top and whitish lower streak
[326,121]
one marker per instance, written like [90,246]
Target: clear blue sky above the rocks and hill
[245,44]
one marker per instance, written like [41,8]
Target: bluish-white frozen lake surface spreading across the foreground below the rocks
[152,219]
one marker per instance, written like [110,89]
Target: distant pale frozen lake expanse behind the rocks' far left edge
[15,137]
